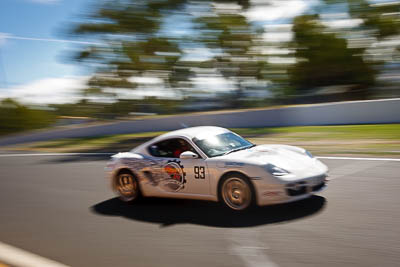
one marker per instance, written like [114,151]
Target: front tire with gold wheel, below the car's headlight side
[236,192]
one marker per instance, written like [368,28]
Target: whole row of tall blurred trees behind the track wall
[131,42]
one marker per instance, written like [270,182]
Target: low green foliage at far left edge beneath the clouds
[15,117]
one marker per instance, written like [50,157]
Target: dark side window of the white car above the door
[171,148]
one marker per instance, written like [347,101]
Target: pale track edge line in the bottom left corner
[18,257]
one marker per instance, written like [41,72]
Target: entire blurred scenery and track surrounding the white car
[81,80]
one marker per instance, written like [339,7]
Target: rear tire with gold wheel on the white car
[127,186]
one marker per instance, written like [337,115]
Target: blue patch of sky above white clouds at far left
[23,60]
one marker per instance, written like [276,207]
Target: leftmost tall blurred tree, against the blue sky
[127,43]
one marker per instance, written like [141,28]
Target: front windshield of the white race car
[222,144]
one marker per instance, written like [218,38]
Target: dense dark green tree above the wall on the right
[325,59]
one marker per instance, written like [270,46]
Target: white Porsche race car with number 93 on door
[216,164]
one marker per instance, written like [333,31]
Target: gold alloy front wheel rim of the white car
[236,193]
